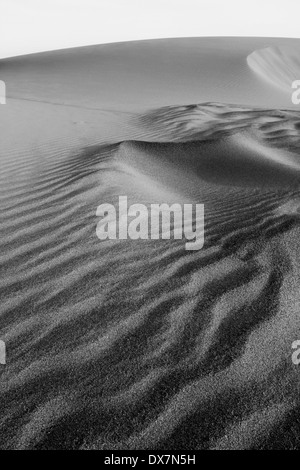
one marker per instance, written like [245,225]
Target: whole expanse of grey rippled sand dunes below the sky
[139,344]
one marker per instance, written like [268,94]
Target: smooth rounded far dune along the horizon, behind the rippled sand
[149,74]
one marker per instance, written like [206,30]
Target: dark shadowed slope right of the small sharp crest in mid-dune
[232,161]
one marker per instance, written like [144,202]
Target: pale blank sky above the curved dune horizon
[39,25]
